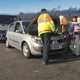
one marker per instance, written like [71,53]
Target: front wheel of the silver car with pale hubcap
[26,51]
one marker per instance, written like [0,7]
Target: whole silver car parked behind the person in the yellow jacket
[24,37]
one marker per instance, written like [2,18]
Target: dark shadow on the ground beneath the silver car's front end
[59,58]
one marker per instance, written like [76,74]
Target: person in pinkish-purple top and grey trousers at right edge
[76,34]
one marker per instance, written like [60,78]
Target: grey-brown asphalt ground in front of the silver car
[13,66]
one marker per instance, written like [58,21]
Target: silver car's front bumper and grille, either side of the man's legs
[56,44]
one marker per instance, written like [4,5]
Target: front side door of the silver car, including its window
[18,35]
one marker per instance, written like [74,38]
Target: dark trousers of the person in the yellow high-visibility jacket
[46,46]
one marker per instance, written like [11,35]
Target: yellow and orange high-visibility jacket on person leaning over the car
[45,24]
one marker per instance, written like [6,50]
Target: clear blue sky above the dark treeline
[28,6]
